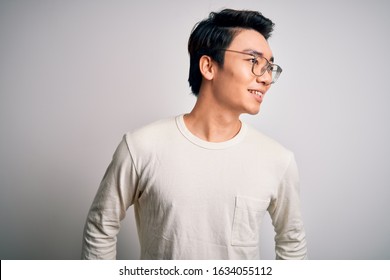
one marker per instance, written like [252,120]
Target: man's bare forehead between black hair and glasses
[248,39]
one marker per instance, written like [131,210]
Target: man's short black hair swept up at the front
[215,33]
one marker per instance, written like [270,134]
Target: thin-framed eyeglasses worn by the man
[260,65]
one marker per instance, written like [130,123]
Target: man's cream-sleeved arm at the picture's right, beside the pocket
[290,242]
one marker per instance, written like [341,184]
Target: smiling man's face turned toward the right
[237,89]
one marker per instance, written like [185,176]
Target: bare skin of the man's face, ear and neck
[224,94]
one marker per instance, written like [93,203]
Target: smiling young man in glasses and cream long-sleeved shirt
[201,183]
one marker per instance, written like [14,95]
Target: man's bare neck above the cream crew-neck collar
[211,123]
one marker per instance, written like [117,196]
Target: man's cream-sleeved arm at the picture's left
[116,193]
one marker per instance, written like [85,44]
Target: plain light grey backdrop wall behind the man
[76,75]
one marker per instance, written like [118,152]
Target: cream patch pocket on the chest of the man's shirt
[248,215]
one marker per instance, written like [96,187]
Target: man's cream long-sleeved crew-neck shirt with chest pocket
[195,199]
